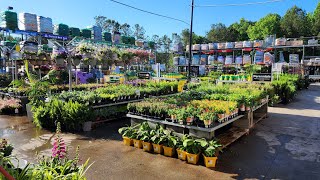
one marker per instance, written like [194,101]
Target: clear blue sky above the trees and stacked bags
[80,13]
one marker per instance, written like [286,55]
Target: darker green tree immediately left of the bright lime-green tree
[241,29]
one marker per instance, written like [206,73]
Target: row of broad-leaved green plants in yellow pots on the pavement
[162,141]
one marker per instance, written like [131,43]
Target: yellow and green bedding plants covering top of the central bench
[203,105]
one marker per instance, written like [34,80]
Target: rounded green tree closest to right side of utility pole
[218,33]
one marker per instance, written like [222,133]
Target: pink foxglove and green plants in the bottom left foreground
[57,166]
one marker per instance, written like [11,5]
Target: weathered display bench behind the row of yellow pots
[226,132]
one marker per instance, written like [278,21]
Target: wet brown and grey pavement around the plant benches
[286,145]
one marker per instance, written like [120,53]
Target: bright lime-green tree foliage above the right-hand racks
[268,25]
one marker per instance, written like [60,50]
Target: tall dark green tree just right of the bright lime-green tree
[295,23]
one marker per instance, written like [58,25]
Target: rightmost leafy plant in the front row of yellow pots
[210,153]
